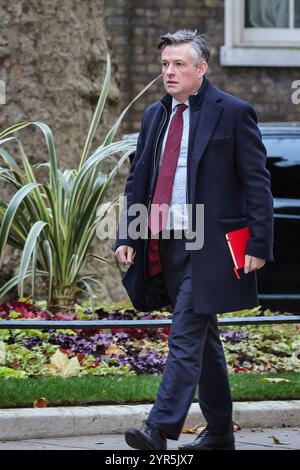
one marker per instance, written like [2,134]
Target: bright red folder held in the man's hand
[237,242]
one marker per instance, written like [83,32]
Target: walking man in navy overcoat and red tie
[200,153]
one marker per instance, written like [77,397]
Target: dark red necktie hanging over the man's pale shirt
[158,216]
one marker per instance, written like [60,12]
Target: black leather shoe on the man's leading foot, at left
[148,437]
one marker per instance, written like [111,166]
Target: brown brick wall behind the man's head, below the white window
[134,28]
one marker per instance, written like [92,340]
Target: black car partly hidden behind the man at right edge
[279,282]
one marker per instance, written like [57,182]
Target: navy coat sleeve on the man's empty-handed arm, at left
[122,236]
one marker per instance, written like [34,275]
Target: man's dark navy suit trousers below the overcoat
[196,355]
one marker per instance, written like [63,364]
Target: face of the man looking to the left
[182,76]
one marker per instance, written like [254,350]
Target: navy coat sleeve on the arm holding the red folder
[251,161]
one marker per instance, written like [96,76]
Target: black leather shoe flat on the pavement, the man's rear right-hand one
[207,441]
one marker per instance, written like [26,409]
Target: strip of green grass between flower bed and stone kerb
[88,390]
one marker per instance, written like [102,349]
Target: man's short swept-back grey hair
[187,36]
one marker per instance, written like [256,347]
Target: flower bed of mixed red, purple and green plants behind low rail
[30,353]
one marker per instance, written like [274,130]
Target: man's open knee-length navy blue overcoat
[226,171]
